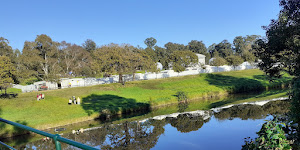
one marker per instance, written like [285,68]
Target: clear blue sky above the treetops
[132,21]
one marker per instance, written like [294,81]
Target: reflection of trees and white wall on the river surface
[145,134]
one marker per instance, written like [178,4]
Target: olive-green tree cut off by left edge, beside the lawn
[7,72]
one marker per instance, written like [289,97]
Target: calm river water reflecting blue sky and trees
[222,129]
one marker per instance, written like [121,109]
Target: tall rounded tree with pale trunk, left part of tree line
[41,57]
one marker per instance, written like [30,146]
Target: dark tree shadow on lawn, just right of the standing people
[112,104]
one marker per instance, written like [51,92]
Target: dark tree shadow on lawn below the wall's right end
[233,84]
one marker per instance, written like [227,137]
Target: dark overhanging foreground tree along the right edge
[280,52]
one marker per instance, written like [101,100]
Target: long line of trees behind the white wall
[45,59]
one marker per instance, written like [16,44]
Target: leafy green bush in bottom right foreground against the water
[271,136]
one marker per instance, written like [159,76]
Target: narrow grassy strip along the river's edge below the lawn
[191,106]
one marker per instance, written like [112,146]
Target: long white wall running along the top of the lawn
[78,82]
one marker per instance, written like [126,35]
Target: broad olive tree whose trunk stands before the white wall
[120,59]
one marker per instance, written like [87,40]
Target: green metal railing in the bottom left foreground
[57,138]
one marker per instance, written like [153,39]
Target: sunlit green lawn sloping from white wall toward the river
[135,95]
